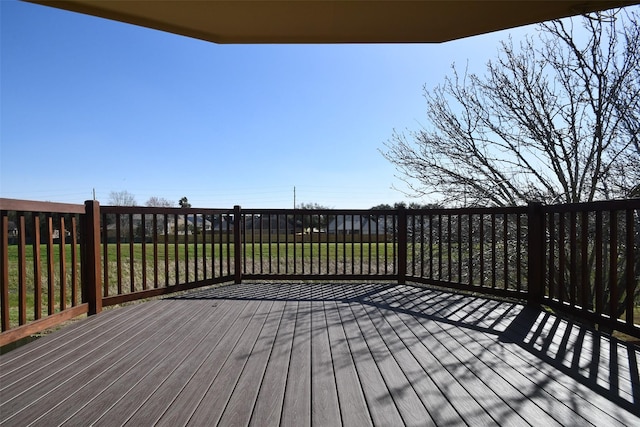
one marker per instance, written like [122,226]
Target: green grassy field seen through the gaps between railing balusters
[135,269]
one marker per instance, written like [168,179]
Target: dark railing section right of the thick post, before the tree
[591,262]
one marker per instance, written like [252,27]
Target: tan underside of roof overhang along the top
[302,21]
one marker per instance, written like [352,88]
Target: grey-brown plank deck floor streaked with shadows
[321,354]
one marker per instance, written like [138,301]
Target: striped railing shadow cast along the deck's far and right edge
[598,361]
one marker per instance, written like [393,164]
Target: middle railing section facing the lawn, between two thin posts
[319,244]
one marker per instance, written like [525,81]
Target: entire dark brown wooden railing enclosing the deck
[60,261]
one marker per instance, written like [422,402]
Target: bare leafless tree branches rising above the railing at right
[554,120]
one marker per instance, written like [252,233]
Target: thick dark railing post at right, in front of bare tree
[535,253]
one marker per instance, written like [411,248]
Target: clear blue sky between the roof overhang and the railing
[88,103]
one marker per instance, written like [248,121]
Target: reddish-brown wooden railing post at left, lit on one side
[91,265]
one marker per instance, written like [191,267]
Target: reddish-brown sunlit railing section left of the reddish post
[41,266]
